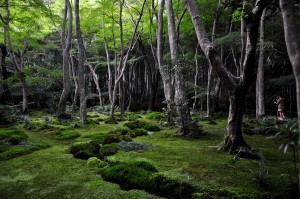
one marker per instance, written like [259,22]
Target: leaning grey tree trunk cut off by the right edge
[292,43]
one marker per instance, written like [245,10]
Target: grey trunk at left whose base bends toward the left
[66,45]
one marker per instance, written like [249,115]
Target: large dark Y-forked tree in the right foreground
[236,86]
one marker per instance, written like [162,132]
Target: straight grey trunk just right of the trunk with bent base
[81,68]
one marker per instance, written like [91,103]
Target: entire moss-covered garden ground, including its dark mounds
[136,156]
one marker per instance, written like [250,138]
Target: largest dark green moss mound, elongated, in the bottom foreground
[143,175]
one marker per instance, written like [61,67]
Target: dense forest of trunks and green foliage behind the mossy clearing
[131,56]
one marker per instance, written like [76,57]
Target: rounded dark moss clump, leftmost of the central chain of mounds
[83,150]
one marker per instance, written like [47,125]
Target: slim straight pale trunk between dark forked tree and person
[260,91]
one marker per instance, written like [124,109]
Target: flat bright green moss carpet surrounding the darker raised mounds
[52,172]
